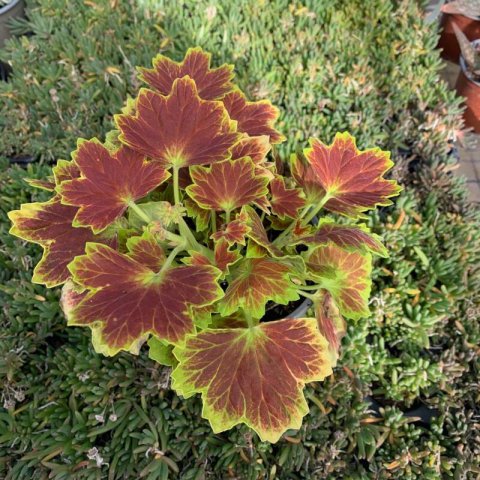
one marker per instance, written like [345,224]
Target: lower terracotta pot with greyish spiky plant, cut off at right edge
[468,82]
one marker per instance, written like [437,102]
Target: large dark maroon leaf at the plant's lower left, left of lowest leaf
[128,300]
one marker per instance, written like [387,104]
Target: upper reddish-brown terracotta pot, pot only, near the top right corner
[448,41]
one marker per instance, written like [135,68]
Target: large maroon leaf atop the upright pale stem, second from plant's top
[180,129]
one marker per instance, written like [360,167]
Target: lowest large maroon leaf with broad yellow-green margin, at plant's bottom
[253,375]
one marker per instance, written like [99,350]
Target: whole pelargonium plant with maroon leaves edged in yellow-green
[179,231]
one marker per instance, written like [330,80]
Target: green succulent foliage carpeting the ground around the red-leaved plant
[364,66]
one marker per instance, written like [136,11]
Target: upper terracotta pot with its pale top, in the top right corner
[466,15]
